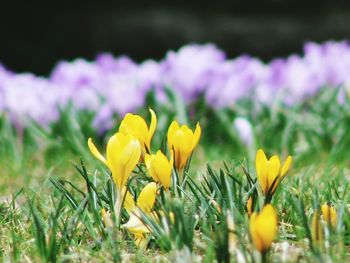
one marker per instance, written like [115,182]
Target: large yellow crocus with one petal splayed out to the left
[123,153]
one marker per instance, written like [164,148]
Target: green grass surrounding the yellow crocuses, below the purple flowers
[52,190]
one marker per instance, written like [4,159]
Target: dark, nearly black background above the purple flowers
[35,35]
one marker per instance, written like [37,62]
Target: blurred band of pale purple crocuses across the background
[110,85]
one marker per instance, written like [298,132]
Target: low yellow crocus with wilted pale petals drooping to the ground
[145,203]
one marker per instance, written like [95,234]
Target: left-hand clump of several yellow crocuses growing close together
[130,146]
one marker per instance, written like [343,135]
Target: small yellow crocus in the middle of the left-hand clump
[159,168]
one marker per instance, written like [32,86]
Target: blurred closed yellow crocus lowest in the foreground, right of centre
[263,228]
